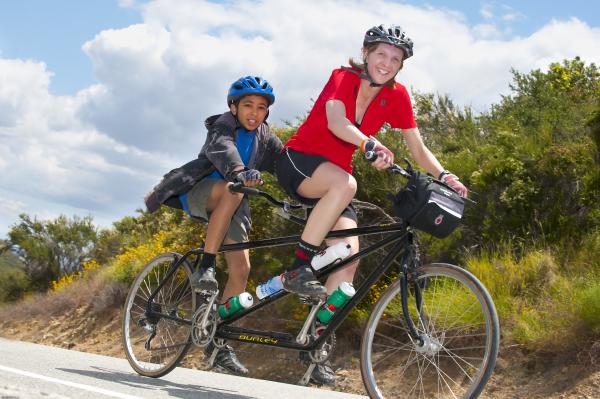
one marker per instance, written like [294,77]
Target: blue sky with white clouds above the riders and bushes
[100,98]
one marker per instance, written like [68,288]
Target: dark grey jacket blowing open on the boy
[218,153]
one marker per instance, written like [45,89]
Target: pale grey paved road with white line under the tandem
[35,371]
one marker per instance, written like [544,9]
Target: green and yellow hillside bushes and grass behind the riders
[533,237]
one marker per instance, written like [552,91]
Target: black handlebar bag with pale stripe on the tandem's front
[429,205]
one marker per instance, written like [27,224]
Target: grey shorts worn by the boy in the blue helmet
[197,198]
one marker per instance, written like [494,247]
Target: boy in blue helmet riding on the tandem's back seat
[239,145]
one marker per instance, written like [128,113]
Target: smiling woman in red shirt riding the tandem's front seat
[315,166]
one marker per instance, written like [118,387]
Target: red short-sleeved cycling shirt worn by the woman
[391,105]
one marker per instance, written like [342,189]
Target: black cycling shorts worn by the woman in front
[293,167]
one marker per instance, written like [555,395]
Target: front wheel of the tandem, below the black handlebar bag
[462,329]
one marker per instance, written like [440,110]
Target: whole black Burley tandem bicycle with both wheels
[431,318]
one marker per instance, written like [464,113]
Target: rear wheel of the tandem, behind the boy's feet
[172,339]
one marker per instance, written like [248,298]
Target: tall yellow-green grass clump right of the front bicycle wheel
[540,303]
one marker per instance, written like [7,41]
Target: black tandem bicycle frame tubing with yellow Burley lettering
[401,237]
